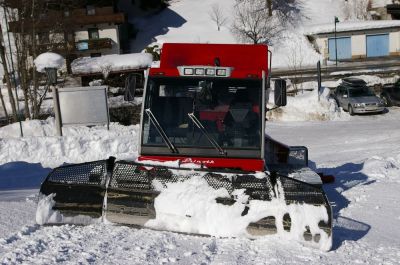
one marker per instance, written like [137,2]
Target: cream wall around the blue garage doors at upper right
[359,42]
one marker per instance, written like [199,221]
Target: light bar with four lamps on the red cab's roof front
[206,71]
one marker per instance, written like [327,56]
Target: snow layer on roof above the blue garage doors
[353,26]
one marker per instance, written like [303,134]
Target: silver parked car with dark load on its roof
[354,96]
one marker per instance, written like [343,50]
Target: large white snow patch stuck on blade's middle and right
[190,206]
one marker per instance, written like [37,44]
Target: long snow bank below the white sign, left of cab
[79,144]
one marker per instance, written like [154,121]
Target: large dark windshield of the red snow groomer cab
[229,110]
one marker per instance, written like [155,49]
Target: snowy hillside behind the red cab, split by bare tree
[189,21]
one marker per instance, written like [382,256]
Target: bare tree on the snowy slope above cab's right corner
[253,24]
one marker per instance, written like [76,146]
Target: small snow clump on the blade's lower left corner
[46,215]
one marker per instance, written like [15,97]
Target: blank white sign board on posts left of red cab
[83,105]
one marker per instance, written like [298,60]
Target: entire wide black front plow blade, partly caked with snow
[147,195]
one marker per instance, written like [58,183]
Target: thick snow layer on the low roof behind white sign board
[111,63]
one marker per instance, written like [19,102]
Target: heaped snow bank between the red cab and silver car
[306,107]
